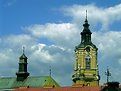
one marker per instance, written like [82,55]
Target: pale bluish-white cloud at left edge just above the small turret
[17,41]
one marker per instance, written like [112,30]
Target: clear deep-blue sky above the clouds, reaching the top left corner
[19,13]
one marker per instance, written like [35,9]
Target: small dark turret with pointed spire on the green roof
[22,73]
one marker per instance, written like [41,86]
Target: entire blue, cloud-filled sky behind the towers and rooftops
[50,29]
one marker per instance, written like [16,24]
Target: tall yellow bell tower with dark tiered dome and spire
[86,69]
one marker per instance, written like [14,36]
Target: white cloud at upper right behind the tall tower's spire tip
[105,16]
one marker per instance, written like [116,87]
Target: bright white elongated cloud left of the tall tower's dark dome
[51,30]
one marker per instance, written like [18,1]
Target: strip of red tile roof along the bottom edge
[69,88]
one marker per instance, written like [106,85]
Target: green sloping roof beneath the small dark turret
[33,82]
